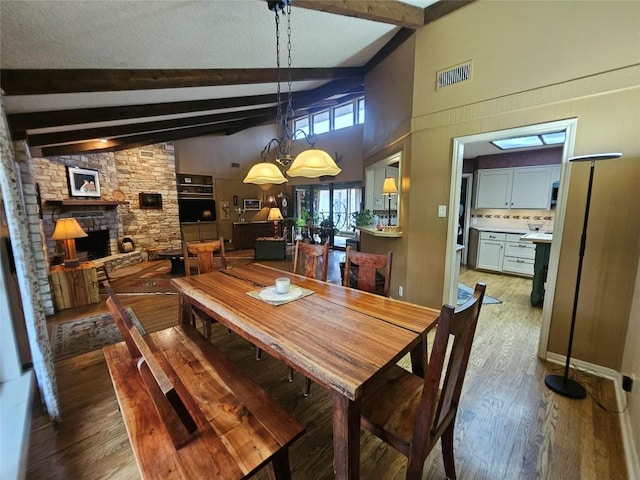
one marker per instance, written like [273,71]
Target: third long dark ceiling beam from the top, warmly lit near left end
[83,135]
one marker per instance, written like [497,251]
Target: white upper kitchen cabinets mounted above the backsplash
[521,188]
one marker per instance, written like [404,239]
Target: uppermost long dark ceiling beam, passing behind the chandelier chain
[50,81]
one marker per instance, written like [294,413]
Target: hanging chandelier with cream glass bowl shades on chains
[311,163]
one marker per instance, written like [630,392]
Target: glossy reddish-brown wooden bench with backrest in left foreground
[190,412]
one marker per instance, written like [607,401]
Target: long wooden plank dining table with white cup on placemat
[339,337]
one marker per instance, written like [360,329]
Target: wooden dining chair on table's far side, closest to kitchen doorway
[363,267]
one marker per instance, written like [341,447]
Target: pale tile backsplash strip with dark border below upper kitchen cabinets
[520,219]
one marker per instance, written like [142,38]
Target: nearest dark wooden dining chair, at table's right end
[412,413]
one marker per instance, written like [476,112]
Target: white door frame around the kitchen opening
[451,282]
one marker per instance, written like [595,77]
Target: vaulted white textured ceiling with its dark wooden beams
[96,76]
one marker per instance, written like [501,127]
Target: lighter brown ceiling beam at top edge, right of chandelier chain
[393,12]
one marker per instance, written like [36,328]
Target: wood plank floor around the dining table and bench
[510,426]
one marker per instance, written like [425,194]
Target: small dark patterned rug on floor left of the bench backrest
[87,334]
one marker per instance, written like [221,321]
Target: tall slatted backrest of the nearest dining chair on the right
[454,336]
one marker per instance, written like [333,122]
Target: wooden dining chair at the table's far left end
[204,254]
